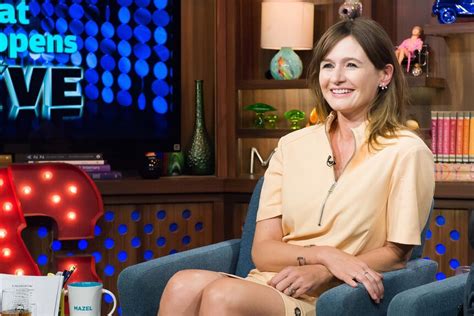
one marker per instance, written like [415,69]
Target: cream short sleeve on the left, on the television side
[270,198]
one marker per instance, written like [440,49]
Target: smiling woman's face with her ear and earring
[348,79]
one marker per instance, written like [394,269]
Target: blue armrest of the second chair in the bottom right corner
[437,298]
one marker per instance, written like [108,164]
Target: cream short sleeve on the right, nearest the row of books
[410,196]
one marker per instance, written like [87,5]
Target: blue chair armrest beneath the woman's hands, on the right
[345,300]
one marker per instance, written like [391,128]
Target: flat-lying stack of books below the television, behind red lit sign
[92,163]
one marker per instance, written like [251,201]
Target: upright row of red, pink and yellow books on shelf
[452,136]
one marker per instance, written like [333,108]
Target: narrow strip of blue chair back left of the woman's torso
[244,263]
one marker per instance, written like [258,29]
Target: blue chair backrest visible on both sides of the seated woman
[245,264]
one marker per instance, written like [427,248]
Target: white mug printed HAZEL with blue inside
[85,297]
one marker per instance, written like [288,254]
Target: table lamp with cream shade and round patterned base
[287,25]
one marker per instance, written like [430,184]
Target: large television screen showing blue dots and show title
[90,76]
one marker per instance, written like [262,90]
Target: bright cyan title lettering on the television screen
[25,84]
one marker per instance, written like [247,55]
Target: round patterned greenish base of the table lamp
[286,65]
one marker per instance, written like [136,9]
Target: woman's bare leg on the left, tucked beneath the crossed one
[182,294]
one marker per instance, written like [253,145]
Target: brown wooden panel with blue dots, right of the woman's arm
[442,244]
